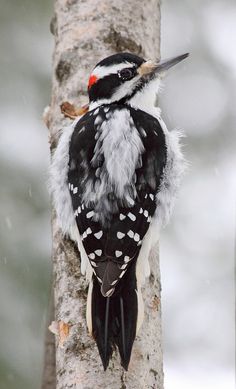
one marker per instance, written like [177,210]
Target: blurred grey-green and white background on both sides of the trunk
[197,248]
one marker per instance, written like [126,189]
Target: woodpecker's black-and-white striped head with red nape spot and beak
[123,76]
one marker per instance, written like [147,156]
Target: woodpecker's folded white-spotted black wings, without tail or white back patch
[111,246]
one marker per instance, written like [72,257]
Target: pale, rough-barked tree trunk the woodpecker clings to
[87,31]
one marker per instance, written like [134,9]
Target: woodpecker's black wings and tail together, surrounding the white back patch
[112,241]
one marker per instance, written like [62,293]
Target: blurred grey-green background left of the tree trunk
[25,268]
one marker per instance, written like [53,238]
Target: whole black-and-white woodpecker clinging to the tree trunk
[114,176]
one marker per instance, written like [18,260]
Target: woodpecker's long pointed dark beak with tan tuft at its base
[151,68]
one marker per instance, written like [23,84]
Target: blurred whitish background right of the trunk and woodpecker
[197,264]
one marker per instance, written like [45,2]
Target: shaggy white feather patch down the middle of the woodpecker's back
[121,146]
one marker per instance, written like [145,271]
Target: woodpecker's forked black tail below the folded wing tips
[113,320]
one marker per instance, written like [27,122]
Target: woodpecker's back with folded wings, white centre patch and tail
[117,157]
